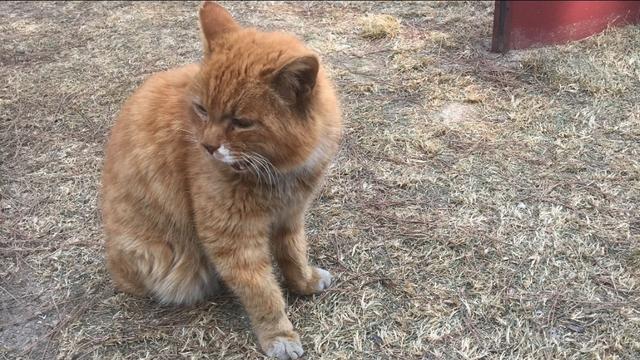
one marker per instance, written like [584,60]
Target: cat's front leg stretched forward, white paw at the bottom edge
[243,262]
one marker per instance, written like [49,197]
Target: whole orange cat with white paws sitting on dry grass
[209,171]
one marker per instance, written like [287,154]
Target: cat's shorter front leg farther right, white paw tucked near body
[289,245]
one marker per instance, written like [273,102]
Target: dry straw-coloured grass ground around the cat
[481,206]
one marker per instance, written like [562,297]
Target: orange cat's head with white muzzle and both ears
[260,99]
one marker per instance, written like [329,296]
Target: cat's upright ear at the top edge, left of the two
[214,21]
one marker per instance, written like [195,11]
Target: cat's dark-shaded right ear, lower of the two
[295,81]
